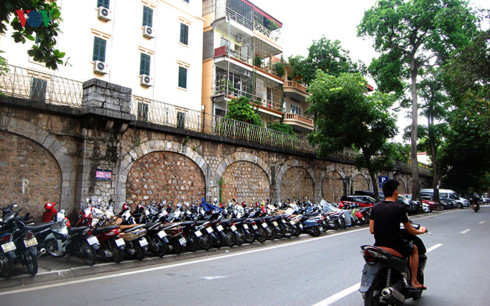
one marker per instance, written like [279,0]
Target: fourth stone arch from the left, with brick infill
[306,177]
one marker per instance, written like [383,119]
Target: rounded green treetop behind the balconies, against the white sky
[325,55]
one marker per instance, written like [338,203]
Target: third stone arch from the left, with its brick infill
[256,176]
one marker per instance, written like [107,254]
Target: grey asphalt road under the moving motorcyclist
[316,271]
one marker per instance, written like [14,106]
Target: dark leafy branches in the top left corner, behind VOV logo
[45,50]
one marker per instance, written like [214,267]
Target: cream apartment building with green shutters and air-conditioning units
[153,47]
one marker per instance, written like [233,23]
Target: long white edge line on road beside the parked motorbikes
[197,261]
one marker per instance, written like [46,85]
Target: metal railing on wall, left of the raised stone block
[42,87]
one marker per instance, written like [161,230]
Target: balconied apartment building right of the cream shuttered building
[240,46]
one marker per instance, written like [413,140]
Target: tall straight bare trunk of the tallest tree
[413,157]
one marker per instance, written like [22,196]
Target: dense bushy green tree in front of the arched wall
[345,116]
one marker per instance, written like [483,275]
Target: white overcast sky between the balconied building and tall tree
[307,20]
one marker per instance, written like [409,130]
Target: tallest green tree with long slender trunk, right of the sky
[411,35]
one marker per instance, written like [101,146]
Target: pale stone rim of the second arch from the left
[151,146]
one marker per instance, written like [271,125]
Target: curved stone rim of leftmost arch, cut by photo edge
[55,148]
